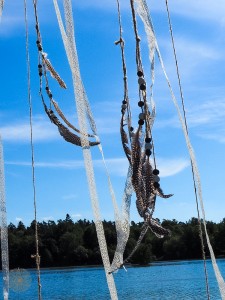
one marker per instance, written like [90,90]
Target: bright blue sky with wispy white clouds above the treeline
[60,175]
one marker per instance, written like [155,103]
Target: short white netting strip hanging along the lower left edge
[4,228]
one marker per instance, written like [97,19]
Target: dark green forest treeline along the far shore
[67,243]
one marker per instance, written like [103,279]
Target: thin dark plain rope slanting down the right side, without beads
[192,168]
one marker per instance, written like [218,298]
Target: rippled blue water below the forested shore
[181,280]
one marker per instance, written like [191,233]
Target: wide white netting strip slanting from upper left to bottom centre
[81,101]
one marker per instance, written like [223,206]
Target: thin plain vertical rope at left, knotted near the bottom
[37,256]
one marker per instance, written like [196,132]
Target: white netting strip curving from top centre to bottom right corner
[143,12]
